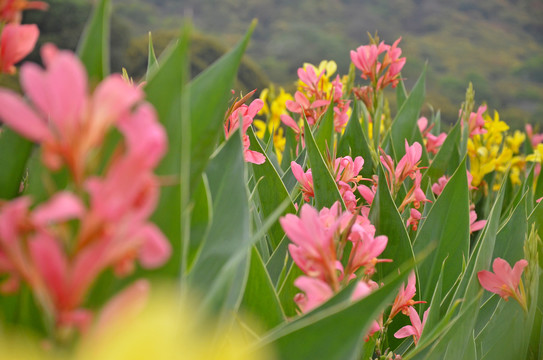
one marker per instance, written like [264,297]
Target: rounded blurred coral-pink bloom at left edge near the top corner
[16,42]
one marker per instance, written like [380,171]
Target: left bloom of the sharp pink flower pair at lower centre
[313,248]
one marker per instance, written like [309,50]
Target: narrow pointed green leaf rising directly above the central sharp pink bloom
[326,191]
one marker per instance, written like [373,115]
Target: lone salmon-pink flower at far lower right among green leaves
[505,281]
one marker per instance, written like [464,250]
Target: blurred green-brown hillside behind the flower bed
[496,44]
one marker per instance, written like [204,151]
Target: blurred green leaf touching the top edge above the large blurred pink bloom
[93,47]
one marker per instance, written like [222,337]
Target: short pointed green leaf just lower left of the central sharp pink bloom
[260,298]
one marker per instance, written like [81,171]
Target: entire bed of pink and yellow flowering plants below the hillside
[309,225]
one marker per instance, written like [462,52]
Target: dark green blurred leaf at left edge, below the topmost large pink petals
[14,153]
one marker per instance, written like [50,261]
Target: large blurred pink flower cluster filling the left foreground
[60,246]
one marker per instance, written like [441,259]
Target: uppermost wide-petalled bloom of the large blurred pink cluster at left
[64,119]
